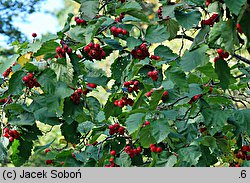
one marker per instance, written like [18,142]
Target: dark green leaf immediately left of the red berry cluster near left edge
[16,84]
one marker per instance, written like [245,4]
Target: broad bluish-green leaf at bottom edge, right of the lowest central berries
[190,154]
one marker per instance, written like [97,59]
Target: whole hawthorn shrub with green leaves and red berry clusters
[164,107]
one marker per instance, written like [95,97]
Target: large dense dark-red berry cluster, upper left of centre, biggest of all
[94,51]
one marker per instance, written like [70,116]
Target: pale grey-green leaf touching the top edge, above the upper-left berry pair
[89,9]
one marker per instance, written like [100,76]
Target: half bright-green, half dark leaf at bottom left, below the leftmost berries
[21,151]
